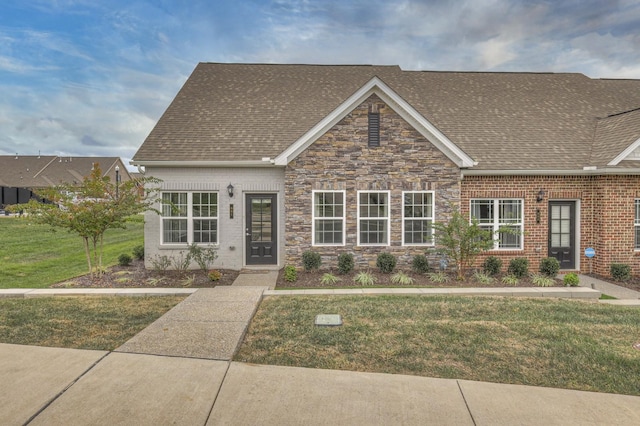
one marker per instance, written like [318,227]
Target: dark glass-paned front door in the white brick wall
[261,229]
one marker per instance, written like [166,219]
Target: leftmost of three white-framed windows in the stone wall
[328,218]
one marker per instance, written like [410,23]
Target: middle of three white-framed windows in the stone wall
[373,218]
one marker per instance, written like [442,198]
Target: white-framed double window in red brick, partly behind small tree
[503,217]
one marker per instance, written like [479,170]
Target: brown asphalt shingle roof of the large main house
[504,121]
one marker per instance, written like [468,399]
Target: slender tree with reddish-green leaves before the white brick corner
[90,209]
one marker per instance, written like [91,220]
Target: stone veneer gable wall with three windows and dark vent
[342,160]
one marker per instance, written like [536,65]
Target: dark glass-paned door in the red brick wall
[562,233]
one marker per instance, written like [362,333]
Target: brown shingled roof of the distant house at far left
[21,176]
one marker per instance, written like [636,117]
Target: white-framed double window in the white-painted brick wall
[189,217]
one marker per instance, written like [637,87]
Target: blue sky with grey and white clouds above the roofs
[92,77]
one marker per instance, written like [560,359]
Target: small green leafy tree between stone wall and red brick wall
[462,241]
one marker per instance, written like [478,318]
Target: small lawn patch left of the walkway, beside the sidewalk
[101,323]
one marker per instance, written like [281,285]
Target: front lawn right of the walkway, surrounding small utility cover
[554,343]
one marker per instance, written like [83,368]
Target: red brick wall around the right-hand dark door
[605,215]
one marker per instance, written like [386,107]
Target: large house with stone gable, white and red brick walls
[268,161]
